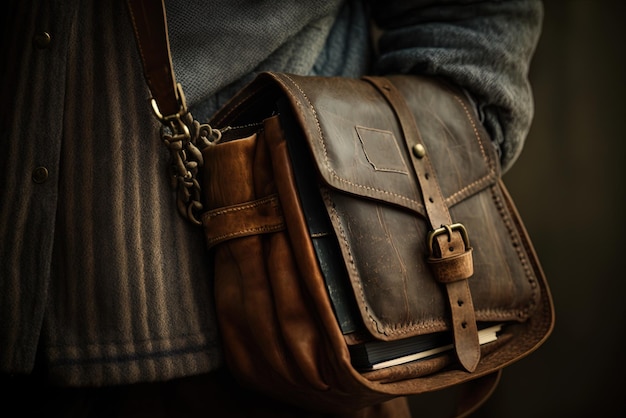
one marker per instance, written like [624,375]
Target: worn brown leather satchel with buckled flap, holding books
[383,196]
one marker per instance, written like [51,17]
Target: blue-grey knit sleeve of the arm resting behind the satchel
[482,46]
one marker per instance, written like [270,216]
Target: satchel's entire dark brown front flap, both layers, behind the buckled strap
[375,204]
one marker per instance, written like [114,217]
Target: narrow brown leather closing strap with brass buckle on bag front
[448,242]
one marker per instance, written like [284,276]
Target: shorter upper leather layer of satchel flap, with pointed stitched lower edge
[358,144]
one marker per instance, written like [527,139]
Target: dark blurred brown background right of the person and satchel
[569,187]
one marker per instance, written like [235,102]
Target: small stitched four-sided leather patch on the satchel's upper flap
[381,150]
